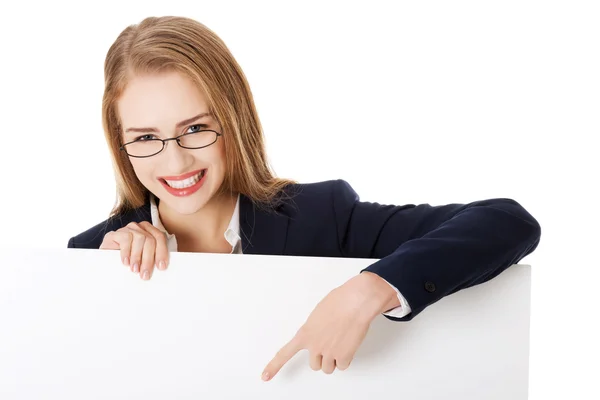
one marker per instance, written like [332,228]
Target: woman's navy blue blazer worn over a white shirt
[425,251]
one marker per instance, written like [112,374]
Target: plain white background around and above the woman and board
[411,102]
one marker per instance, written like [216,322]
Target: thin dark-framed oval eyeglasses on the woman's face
[142,148]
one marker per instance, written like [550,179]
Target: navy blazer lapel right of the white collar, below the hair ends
[262,232]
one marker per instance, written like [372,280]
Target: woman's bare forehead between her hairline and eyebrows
[160,100]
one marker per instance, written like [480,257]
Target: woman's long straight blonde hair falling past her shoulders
[159,44]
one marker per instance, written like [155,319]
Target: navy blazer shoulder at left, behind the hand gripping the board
[92,237]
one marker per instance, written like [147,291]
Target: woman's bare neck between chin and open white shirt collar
[207,224]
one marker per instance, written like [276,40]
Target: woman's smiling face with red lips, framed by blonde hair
[165,106]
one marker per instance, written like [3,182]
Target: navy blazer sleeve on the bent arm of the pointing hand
[428,252]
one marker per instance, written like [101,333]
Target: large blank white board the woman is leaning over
[77,324]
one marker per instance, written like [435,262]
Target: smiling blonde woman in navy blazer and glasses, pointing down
[192,175]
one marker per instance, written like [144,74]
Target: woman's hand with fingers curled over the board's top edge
[142,246]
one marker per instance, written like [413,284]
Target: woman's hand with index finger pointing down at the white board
[338,324]
